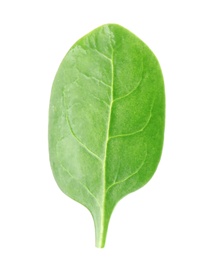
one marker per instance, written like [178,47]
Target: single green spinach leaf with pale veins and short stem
[106,120]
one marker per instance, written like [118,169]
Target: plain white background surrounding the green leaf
[169,218]
